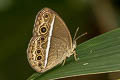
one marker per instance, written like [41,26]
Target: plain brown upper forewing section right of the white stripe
[61,31]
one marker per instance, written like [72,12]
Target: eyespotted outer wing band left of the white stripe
[37,46]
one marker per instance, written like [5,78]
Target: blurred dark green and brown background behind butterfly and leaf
[17,20]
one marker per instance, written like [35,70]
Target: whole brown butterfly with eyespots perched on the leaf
[51,42]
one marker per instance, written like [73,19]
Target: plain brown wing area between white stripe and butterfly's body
[60,43]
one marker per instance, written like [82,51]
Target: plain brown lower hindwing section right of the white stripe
[57,52]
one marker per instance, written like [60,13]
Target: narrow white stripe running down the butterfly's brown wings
[49,38]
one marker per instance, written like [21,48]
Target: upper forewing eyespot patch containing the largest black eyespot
[41,24]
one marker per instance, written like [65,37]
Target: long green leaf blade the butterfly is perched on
[98,55]
